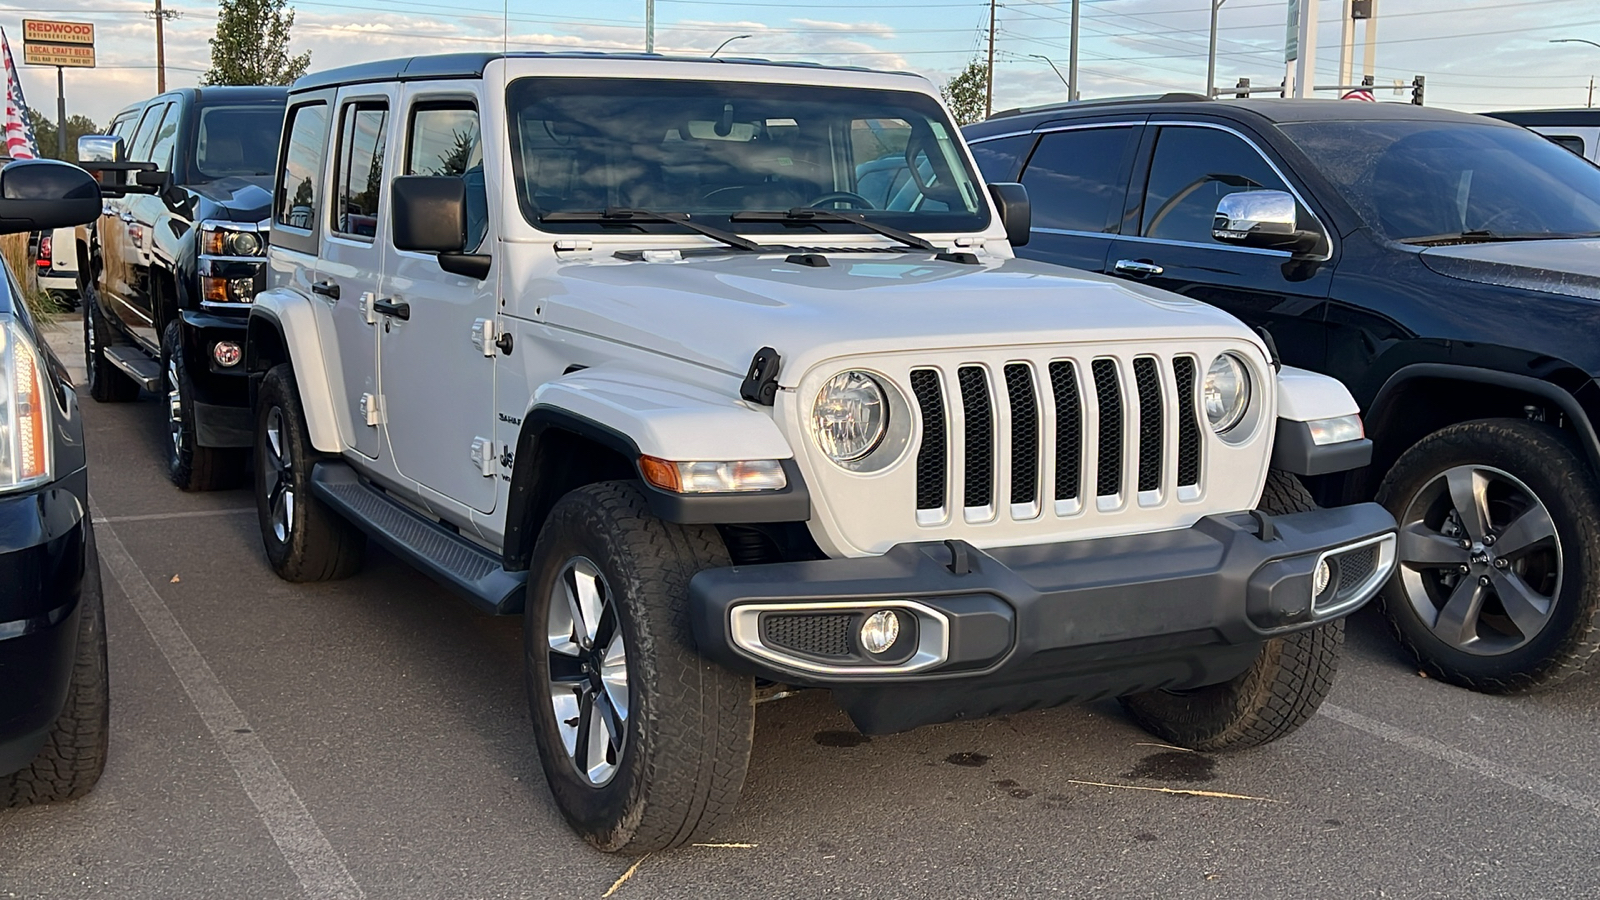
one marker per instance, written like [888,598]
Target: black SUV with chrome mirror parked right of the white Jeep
[1444,267]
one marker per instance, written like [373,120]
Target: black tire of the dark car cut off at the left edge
[74,755]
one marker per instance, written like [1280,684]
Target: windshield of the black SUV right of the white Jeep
[1422,182]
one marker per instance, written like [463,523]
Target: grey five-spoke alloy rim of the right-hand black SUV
[1481,561]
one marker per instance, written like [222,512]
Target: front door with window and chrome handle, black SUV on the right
[1174,204]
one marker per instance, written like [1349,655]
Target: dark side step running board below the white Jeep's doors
[450,560]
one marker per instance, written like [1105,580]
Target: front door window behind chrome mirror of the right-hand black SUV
[1193,171]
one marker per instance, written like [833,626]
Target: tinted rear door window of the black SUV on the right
[1076,179]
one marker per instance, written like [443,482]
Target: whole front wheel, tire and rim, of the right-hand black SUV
[1498,577]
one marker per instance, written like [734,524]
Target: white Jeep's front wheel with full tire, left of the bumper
[642,741]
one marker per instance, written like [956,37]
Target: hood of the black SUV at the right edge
[1551,267]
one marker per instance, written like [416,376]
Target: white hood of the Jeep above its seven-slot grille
[719,311]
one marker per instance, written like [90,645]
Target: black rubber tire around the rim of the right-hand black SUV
[1551,467]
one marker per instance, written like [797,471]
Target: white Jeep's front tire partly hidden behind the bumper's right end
[1278,694]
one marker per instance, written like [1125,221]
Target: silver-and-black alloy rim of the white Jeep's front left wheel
[588,656]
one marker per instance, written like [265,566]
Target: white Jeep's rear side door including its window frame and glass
[350,270]
